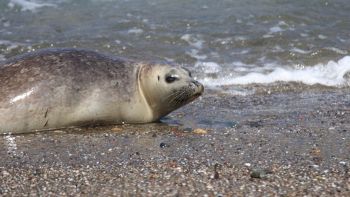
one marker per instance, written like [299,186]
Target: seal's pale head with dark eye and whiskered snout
[167,87]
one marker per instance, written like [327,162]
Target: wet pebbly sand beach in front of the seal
[282,143]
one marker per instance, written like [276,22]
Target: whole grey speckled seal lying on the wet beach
[59,88]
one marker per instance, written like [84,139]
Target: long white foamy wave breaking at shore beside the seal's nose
[330,74]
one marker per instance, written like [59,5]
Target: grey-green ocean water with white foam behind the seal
[227,44]
